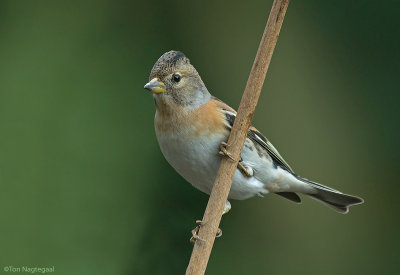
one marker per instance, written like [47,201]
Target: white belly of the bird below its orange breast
[197,160]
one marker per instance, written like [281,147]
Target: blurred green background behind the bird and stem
[85,188]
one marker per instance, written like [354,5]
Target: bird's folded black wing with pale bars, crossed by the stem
[255,136]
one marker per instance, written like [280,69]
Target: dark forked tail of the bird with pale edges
[331,197]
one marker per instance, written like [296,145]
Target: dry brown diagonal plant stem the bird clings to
[219,194]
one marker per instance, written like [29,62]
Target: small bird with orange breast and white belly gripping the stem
[191,127]
